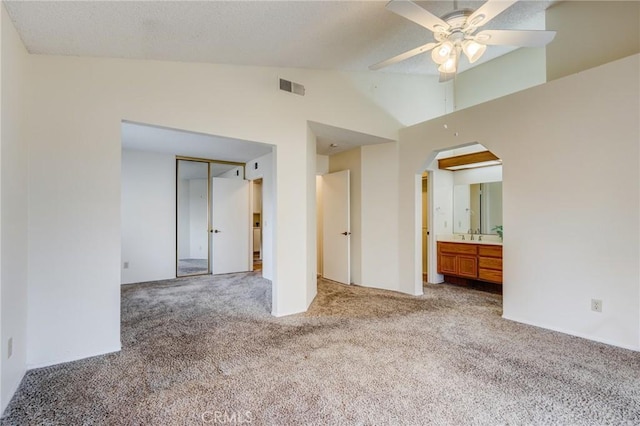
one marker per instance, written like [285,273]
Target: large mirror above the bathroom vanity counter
[477,206]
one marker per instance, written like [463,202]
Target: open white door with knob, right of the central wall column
[336,229]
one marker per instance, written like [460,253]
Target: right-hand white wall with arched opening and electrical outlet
[582,130]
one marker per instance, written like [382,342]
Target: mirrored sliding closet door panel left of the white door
[192,200]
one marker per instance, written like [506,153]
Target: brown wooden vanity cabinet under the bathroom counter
[474,261]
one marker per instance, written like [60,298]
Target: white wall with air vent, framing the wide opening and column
[79,104]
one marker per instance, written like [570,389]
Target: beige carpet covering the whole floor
[206,350]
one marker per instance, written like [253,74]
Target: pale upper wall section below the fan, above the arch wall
[510,73]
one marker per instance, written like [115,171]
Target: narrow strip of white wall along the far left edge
[13,209]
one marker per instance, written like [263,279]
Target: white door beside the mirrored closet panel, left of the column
[230,225]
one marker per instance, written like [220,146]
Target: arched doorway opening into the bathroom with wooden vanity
[464,215]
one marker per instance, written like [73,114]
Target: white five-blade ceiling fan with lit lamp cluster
[455,33]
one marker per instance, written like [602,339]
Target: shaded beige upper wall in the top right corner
[591,33]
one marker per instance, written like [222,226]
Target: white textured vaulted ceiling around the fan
[338,35]
